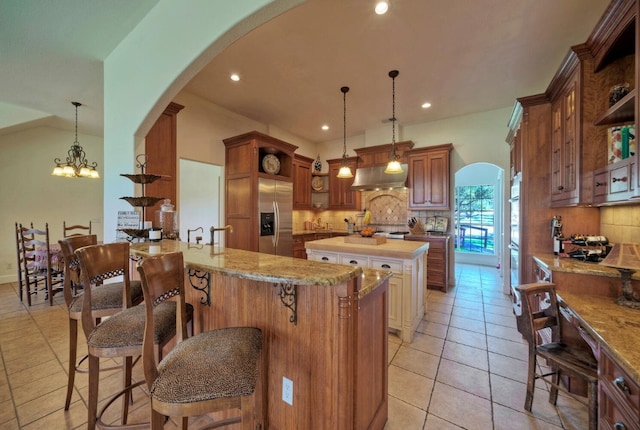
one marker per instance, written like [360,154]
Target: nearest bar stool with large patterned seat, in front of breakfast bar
[212,371]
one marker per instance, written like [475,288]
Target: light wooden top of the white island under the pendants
[392,248]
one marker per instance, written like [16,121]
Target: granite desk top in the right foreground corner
[616,327]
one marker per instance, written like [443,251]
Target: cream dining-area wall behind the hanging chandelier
[29,193]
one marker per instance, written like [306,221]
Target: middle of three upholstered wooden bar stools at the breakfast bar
[120,335]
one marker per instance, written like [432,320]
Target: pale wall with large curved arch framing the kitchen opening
[153,63]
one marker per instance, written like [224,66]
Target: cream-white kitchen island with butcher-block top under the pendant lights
[406,259]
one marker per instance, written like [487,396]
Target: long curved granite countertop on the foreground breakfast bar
[263,267]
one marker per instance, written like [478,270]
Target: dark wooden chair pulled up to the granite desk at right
[540,312]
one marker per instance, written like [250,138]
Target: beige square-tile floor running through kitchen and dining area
[466,367]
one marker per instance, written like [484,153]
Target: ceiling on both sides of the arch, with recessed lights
[463,56]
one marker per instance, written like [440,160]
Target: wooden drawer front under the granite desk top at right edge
[624,391]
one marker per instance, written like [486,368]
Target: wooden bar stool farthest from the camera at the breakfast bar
[107,299]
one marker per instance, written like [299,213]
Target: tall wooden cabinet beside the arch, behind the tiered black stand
[160,147]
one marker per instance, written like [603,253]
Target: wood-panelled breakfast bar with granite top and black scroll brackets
[325,329]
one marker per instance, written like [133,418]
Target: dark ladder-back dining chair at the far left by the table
[41,262]
